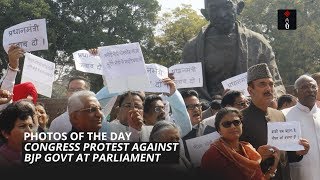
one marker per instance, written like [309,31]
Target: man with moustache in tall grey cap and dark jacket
[258,114]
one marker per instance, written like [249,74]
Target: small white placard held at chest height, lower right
[285,135]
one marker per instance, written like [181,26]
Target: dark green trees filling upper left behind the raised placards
[83,24]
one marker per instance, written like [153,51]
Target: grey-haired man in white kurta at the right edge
[308,114]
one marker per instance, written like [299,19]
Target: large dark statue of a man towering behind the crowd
[226,48]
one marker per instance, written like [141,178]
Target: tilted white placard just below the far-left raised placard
[40,72]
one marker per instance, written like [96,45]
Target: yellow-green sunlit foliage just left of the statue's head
[177,27]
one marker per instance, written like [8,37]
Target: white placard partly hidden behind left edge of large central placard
[86,62]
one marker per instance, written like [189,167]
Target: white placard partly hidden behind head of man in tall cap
[238,83]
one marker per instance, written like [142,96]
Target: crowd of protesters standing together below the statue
[176,117]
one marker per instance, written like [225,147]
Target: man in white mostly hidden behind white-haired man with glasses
[62,123]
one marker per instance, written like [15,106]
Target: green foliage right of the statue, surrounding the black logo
[296,51]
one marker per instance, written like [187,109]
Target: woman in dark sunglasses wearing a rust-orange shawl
[229,158]
